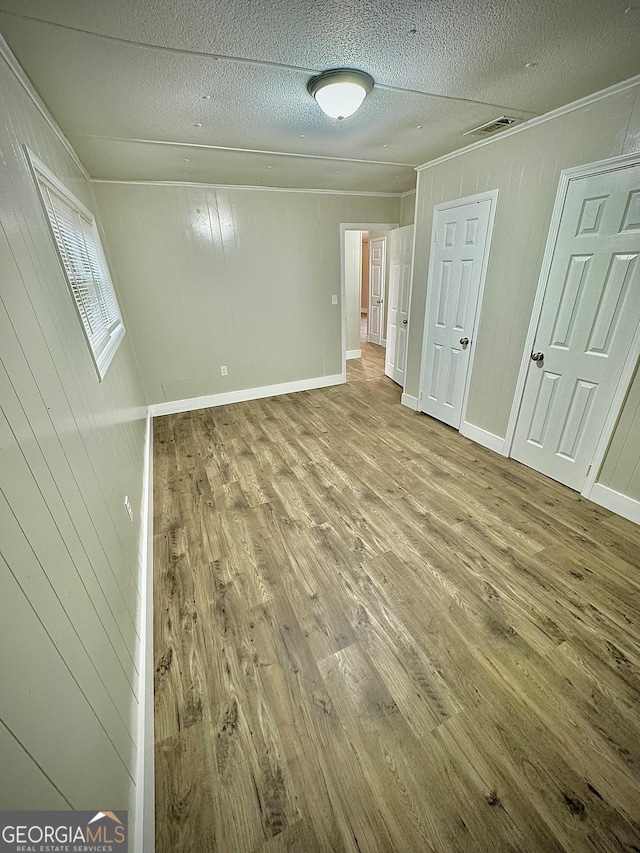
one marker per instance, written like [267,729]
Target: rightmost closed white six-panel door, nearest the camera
[590,312]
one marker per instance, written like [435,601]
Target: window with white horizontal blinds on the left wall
[78,242]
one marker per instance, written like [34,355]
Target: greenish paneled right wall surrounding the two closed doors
[525,167]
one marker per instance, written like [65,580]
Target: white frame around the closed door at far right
[588,170]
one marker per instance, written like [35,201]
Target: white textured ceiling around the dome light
[194,90]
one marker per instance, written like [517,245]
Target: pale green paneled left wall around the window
[71,448]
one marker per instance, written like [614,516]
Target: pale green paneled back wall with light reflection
[227,276]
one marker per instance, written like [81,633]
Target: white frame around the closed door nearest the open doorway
[489,195]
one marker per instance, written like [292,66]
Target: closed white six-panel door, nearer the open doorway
[458,260]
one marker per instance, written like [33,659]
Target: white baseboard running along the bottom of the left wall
[144,840]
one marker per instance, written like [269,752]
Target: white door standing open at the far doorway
[399,293]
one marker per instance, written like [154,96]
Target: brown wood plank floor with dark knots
[373,635]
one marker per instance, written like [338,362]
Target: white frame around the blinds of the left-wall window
[103,348]
